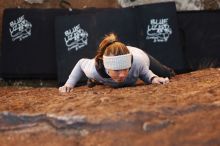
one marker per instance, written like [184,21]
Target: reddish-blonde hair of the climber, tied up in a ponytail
[110,46]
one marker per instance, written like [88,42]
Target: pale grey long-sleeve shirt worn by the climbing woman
[139,69]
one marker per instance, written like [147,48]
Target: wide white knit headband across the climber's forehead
[117,62]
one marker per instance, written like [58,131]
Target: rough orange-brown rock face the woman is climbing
[185,112]
